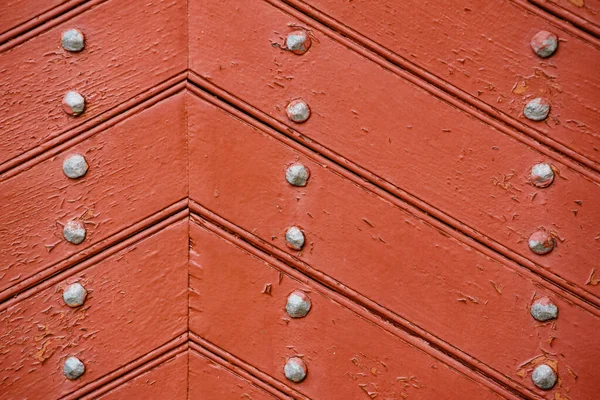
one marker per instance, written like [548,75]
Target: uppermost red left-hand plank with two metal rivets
[121,59]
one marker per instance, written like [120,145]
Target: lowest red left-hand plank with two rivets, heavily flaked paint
[131,296]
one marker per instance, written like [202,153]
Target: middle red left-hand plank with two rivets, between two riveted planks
[135,170]
